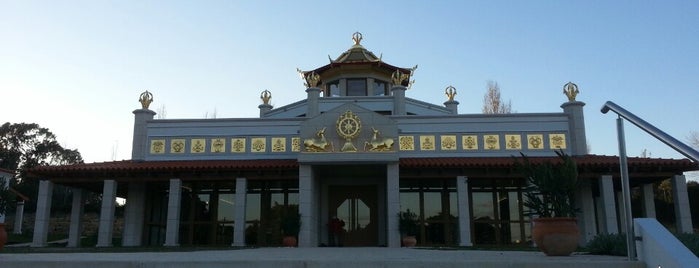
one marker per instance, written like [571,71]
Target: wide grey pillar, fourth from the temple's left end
[134,214]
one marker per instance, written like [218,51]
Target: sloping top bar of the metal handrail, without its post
[680,147]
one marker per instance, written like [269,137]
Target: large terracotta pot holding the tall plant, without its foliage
[556,236]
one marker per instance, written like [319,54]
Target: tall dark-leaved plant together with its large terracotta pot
[550,197]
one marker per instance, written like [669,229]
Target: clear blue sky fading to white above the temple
[78,67]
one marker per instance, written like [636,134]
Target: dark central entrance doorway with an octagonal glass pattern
[356,206]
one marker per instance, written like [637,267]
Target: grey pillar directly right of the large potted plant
[586,217]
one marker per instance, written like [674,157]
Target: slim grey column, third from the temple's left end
[105,231]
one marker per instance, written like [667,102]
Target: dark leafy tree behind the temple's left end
[24,146]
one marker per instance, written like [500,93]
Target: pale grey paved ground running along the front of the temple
[312,258]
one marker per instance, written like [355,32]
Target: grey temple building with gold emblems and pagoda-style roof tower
[356,149]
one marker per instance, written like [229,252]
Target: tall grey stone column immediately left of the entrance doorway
[308,236]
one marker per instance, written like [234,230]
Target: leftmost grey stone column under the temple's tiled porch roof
[43,214]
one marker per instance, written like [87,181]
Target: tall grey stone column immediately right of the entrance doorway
[393,204]
